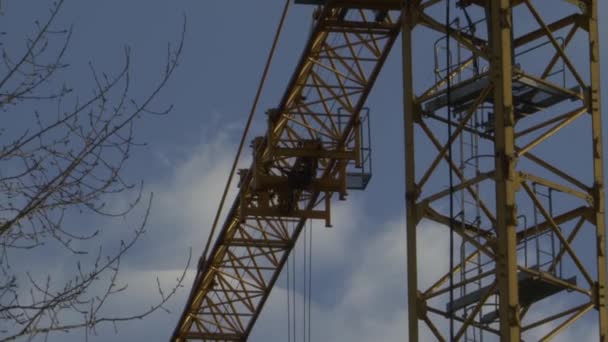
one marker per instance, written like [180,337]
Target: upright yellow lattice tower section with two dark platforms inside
[513,118]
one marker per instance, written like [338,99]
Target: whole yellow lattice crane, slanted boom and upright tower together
[526,224]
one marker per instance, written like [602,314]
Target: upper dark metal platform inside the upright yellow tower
[530,94]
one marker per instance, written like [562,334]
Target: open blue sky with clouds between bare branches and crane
[187,158]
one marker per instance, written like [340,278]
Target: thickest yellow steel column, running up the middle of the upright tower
[505,176]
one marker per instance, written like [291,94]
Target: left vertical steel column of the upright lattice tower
[411,189]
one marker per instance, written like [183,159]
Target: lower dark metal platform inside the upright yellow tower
[532,289]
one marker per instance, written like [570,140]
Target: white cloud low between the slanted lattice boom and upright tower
[372,296]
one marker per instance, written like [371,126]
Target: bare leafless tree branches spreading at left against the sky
[65,162]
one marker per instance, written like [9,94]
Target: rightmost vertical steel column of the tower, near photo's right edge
[599,200]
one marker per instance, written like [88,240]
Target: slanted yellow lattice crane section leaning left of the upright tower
[313,151]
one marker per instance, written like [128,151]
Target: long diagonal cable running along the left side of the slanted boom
[247,126]
